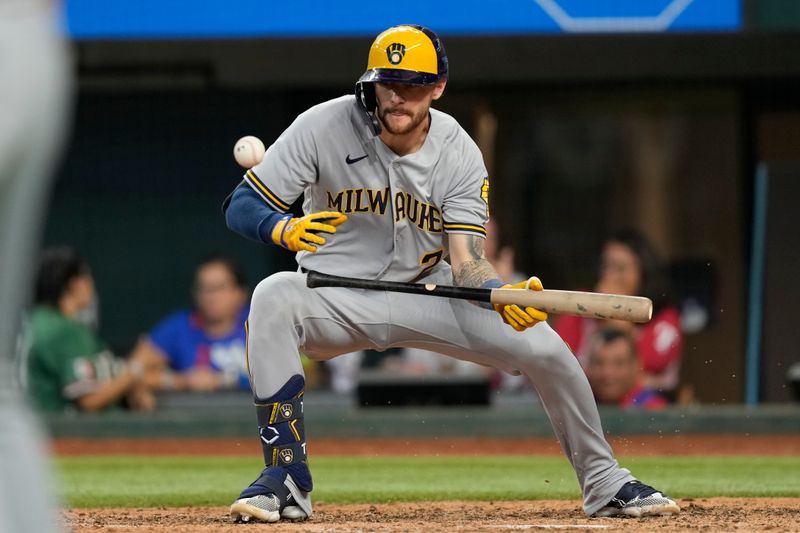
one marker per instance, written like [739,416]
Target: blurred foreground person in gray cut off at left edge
[34,82]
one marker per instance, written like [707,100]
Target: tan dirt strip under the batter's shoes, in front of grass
[708,515]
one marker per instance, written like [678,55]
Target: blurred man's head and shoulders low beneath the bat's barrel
[614,373]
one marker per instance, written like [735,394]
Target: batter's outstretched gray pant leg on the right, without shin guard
[465,331]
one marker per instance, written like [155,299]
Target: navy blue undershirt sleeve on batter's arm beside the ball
[248,214]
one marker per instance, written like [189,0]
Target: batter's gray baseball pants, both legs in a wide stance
[287,317]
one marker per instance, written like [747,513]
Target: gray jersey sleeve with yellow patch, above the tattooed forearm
[466,205]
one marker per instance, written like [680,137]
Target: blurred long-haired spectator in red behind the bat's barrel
[630,266]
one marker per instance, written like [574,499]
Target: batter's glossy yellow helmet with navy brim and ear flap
[403,54]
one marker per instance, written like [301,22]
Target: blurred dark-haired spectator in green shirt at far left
[68,365]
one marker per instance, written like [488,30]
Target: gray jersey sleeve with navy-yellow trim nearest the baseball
[289,165]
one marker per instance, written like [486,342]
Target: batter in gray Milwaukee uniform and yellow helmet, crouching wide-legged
[391,188]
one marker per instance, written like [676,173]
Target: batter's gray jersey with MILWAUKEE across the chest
[399,209]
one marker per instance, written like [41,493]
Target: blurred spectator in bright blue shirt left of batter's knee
[203,349]
